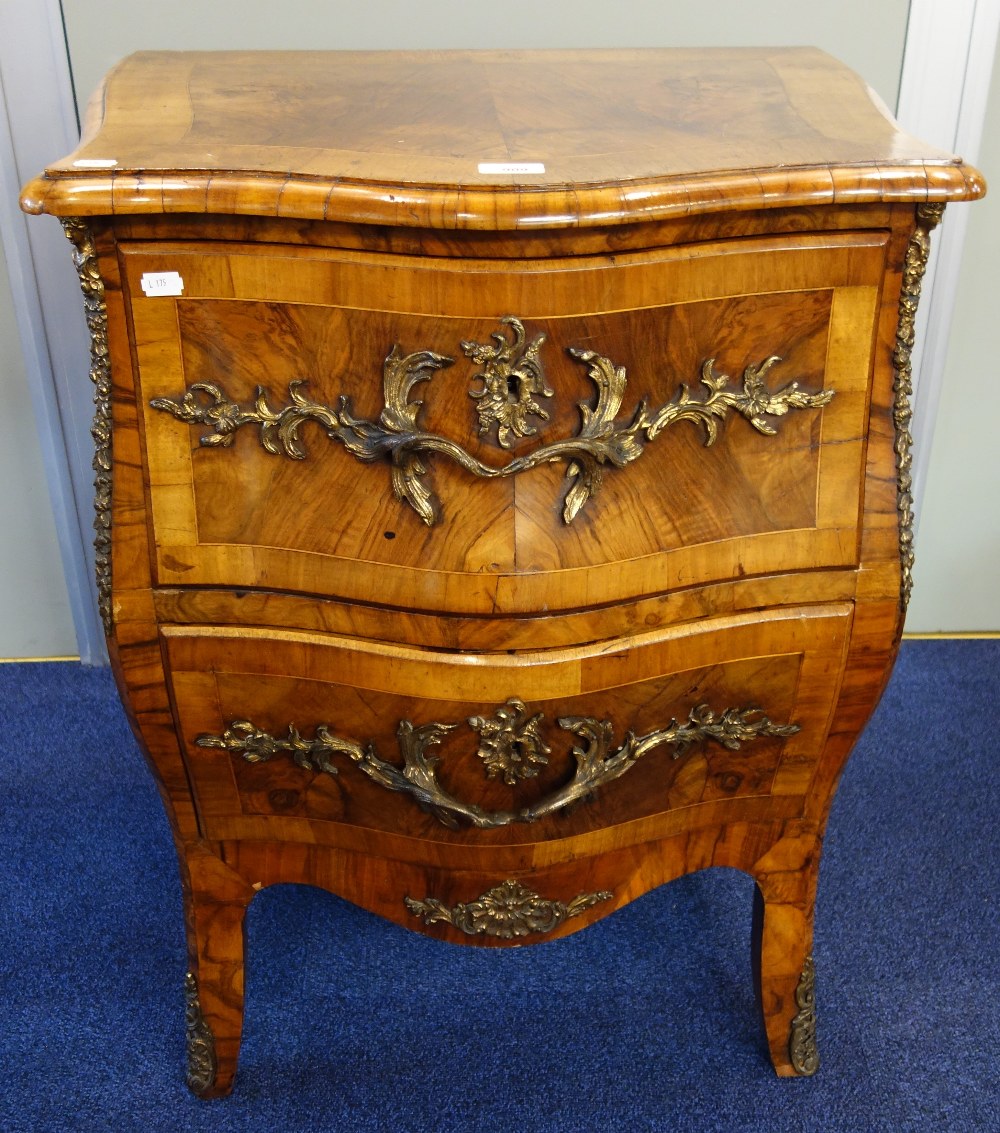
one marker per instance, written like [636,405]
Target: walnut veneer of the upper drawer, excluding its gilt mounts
[685,514]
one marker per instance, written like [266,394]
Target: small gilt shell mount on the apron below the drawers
[507,911]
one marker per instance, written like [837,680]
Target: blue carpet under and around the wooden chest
[645,1021]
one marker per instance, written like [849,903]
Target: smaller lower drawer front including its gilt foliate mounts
[303,738]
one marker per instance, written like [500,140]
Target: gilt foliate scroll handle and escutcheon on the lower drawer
[596,759]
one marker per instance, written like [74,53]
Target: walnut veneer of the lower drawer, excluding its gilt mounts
[363,691]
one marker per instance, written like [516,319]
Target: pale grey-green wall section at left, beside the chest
[35,610]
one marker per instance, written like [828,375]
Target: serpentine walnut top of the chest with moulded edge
[400,138]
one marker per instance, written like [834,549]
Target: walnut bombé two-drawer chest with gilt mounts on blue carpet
[502,476]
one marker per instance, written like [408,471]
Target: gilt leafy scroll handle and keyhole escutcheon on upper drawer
[511,377]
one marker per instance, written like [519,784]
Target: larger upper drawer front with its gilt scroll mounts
[445,459]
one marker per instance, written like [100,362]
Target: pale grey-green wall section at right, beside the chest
[958,574]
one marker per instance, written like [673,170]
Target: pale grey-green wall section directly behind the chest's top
[867,35]
